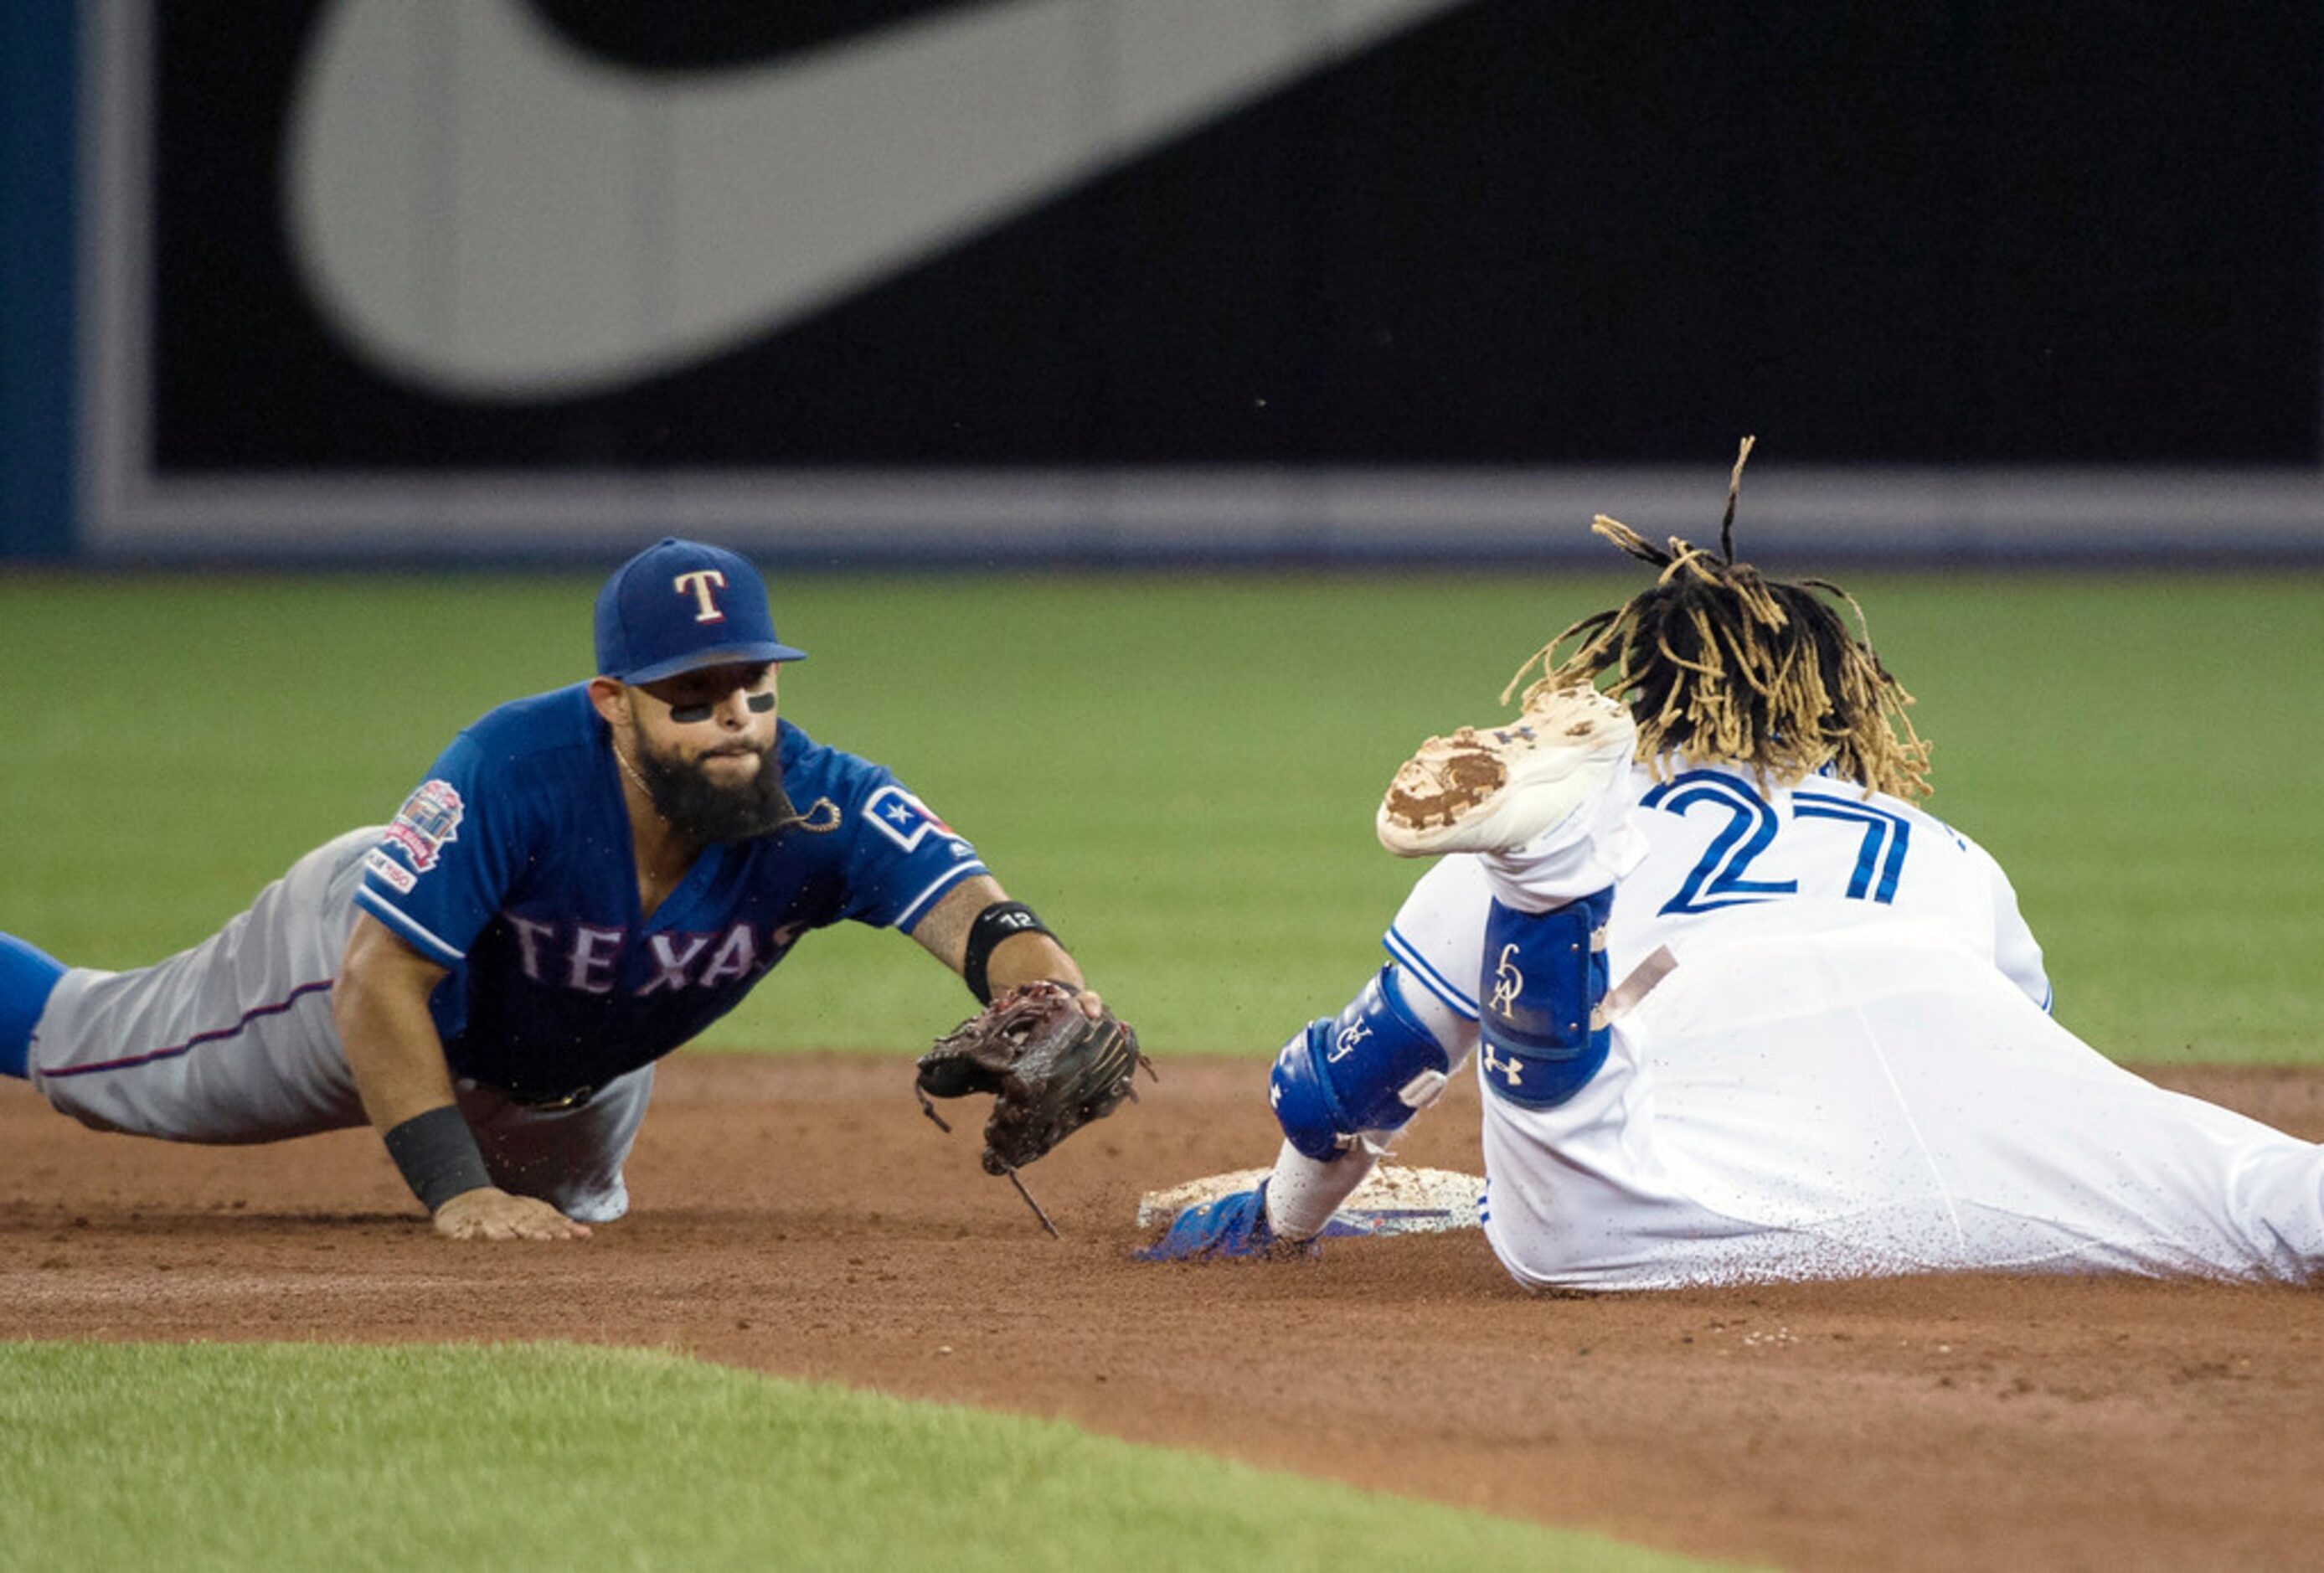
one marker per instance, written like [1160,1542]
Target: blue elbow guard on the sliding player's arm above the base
[1365,1070]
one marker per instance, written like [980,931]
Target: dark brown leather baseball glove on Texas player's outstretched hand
[1047,1065]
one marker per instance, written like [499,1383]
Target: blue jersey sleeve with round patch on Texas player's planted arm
[443,865]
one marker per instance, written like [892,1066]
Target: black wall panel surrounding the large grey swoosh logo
[1516,236]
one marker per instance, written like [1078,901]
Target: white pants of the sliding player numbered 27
[1879,1100]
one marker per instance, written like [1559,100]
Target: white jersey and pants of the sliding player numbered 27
[1842,1065]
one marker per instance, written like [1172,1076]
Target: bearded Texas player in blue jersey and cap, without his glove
[582,882]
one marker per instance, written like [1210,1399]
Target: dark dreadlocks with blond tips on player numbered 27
[1721,666]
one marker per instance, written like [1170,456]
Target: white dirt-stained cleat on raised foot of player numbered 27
[1495,789]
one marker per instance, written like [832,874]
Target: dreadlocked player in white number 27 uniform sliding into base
[1744,1012]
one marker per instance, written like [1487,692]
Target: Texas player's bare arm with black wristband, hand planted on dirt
[380,1005]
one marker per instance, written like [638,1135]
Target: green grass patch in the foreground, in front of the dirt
[540,1456]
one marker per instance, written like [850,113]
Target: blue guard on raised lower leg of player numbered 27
[1542,991]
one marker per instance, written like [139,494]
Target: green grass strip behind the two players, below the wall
[1179,770]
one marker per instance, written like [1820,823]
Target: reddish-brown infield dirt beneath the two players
[801,1216]
